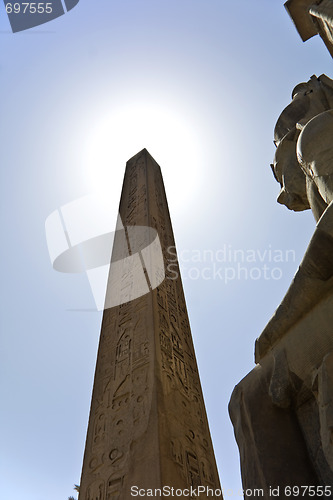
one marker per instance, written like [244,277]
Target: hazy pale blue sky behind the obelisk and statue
[200,84]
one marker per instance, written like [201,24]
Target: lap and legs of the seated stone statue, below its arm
[282,410]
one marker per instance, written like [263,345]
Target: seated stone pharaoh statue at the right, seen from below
[282,411]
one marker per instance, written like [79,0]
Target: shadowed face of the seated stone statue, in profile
[291,178]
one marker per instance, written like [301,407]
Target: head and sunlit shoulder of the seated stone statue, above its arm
[303,135]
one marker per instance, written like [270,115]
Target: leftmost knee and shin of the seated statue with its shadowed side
[272,449]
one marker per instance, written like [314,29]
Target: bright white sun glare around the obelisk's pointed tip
[125,131]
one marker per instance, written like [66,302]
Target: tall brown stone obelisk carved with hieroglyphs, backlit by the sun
[148,427]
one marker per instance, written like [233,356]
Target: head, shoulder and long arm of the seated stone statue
[303,165]
